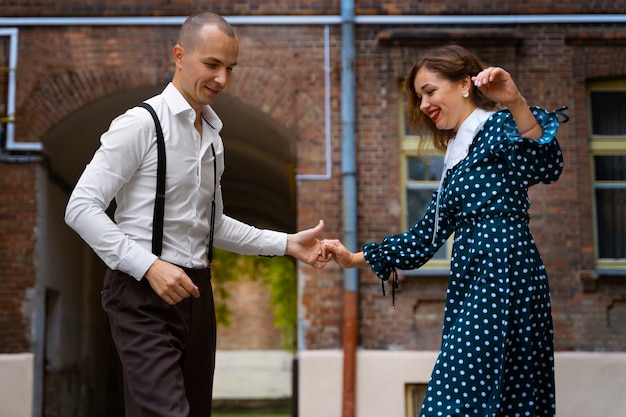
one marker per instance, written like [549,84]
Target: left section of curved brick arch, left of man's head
[54,98]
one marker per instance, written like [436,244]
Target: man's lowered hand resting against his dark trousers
[170,282]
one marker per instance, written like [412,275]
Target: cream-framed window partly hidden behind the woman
[420,175]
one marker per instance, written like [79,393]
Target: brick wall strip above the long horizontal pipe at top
[182,8]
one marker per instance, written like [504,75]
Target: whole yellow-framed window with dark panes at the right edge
[607,105]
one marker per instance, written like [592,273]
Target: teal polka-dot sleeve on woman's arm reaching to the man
[411,249]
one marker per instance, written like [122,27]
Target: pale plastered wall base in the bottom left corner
[16,385]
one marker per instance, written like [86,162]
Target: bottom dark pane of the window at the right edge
[611,218]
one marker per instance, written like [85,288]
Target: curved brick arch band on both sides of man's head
[274,94]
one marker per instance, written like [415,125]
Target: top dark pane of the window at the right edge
[607,112]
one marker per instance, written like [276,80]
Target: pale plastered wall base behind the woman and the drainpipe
[587,383]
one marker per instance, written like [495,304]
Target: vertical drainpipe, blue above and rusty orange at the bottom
[348,172]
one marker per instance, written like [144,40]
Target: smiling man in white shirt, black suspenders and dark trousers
[160,305]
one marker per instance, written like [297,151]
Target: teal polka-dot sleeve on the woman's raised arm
[532,161]
